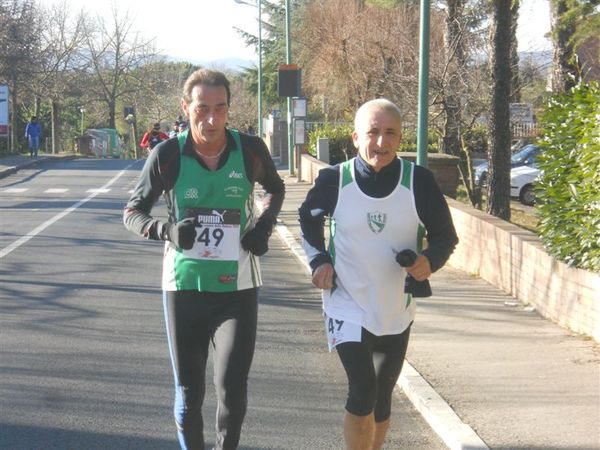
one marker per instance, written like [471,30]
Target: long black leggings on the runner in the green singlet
[228,320]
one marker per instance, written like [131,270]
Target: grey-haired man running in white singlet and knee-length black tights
[380,207]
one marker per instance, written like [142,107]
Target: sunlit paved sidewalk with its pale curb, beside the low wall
[515,380]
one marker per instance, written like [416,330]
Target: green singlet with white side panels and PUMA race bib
[222,203]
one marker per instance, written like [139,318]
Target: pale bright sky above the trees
[203,30]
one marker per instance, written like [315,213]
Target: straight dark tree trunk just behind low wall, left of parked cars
[499,154]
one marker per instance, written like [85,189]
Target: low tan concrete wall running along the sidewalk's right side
[514,260]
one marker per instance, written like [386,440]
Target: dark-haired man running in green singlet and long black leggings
[211,272]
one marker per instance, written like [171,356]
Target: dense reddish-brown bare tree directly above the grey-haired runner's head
[352,54]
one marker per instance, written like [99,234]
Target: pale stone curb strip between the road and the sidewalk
[442,419]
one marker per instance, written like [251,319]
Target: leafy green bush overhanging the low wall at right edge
[568,194]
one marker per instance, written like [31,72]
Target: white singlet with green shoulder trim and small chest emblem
[366,233]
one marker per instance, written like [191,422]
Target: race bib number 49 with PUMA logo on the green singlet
[217,234]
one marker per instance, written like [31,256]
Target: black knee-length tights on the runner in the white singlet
[373,367]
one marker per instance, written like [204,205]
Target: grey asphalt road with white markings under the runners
[83,356]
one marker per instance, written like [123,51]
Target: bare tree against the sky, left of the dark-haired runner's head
[115,50]
